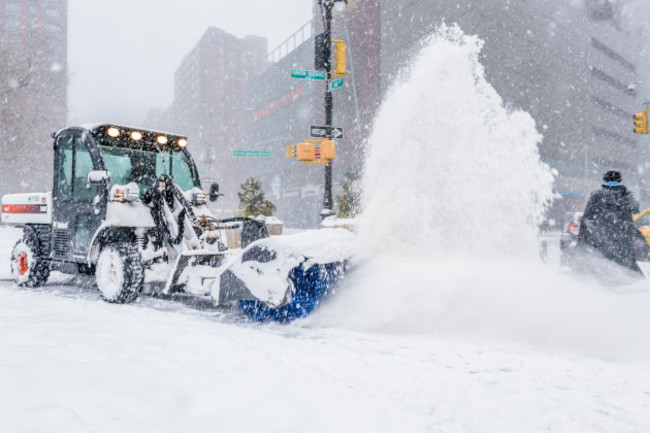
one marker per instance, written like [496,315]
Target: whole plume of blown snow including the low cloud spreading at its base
[454,189]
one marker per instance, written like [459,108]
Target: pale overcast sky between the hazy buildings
[122,54]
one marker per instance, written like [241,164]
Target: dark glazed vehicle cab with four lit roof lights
[89,162]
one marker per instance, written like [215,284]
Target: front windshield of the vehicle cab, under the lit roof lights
[143,165]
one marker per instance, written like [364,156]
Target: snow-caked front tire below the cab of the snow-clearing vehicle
[119,273]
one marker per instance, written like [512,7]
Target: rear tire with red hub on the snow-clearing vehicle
[27,267]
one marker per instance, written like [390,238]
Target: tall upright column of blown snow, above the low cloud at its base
[448,168]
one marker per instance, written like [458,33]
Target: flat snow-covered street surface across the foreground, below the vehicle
[70,359]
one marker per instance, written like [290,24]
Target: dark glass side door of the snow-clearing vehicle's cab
[78,207]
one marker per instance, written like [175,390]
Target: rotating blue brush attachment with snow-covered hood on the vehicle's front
[286,277]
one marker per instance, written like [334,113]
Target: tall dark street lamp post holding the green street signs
[326,9]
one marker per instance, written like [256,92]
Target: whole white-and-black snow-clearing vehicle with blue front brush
[128,202]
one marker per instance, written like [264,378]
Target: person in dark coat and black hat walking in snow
[607,229]
